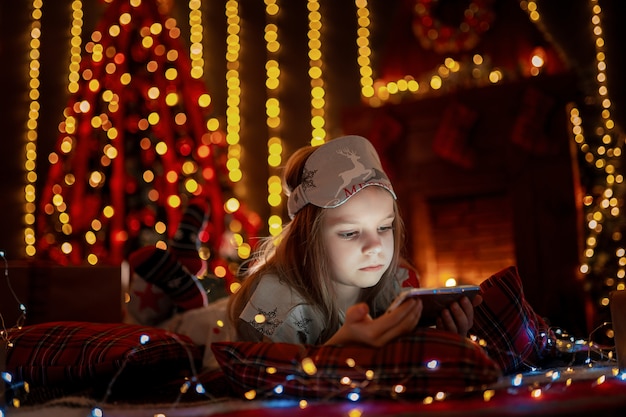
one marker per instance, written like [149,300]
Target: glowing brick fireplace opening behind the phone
[463,238]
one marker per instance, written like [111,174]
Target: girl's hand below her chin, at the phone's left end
[360,328]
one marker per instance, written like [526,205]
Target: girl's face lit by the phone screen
[359,240]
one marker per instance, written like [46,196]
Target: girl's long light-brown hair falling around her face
[299,258]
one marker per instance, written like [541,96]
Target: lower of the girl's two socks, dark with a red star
[160,267]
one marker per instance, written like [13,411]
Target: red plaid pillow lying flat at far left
[77,352]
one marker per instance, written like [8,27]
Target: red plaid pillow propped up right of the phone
[516,337]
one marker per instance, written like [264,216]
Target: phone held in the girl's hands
[435,299]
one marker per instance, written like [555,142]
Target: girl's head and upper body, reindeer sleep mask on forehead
[331,274]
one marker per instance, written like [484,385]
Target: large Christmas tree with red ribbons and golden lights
[136,146]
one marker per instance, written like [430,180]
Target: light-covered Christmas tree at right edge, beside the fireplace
[602,177]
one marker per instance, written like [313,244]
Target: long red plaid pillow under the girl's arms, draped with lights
[425,363]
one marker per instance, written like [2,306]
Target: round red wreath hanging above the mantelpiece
[446,37]
